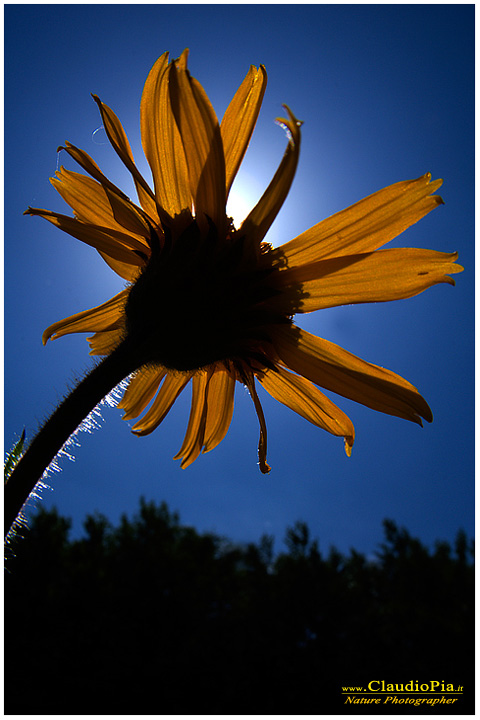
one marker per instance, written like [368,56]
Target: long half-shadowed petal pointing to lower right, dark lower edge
[338,370]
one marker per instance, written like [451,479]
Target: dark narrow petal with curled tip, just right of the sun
[257,223]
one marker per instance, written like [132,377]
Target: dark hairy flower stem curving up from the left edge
[65,420]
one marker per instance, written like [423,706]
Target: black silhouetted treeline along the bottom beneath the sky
[152,617]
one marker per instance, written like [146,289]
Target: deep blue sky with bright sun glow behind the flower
[386,94]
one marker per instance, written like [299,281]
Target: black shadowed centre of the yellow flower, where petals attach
[200,301]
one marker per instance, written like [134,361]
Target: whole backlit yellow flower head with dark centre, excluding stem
[210,304]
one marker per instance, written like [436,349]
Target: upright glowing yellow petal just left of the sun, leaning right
[239,120]
